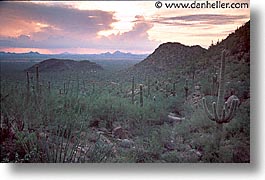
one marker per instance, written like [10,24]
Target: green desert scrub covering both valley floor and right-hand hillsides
[150,112]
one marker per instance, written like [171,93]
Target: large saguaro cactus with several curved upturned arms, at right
[221,113]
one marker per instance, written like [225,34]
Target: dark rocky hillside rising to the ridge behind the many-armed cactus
[174,62]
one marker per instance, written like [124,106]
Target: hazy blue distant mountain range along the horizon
[35,56]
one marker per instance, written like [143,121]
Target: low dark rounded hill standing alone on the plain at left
[58,65]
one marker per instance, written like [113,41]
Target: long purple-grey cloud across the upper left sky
[59,17]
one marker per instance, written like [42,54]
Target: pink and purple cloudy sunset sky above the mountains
[106,26]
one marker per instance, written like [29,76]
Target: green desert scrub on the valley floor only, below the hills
[70,117]
